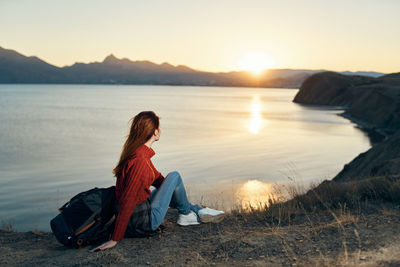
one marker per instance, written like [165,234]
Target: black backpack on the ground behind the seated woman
[86,219]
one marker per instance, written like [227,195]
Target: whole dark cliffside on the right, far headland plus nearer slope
[374,104]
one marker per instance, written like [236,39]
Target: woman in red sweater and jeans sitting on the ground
[140,211]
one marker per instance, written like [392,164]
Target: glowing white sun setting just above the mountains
[255,62]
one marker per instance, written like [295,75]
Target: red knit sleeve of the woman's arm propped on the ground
[127,201]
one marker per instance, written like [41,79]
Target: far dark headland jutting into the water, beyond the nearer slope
[372,102]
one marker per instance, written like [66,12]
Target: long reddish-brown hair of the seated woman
[142,129]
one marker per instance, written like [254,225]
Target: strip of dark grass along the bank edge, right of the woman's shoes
[338,199]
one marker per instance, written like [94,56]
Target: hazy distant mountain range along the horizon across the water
[17,68]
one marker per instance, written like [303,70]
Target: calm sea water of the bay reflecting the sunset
[227,143]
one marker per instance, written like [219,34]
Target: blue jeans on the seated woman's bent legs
[172,194]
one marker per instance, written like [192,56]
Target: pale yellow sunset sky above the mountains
[207,35]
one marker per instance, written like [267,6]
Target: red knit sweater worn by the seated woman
[133,186]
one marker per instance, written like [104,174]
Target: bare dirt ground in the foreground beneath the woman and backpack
[364,240]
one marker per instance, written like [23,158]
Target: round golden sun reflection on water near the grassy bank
[255,194]
